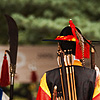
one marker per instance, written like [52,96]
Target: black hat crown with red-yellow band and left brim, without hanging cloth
[66,34]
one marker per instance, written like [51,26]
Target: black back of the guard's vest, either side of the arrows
[85,82]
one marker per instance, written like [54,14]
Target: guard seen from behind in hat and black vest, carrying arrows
[72,80]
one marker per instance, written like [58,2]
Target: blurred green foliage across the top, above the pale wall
[39,19]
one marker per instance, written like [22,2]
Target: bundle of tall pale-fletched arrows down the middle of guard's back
[70,77]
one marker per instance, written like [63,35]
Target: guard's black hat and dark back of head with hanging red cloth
[71,38]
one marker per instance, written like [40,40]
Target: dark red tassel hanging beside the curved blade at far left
[4,81]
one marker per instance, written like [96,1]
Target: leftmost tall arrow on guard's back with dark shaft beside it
[63,76]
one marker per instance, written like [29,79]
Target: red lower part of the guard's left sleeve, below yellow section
[42,95]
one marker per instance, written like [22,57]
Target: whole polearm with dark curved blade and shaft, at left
[13,41]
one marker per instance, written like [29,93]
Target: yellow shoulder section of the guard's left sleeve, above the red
[43,85]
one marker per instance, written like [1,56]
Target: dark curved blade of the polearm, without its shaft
[13,39]
